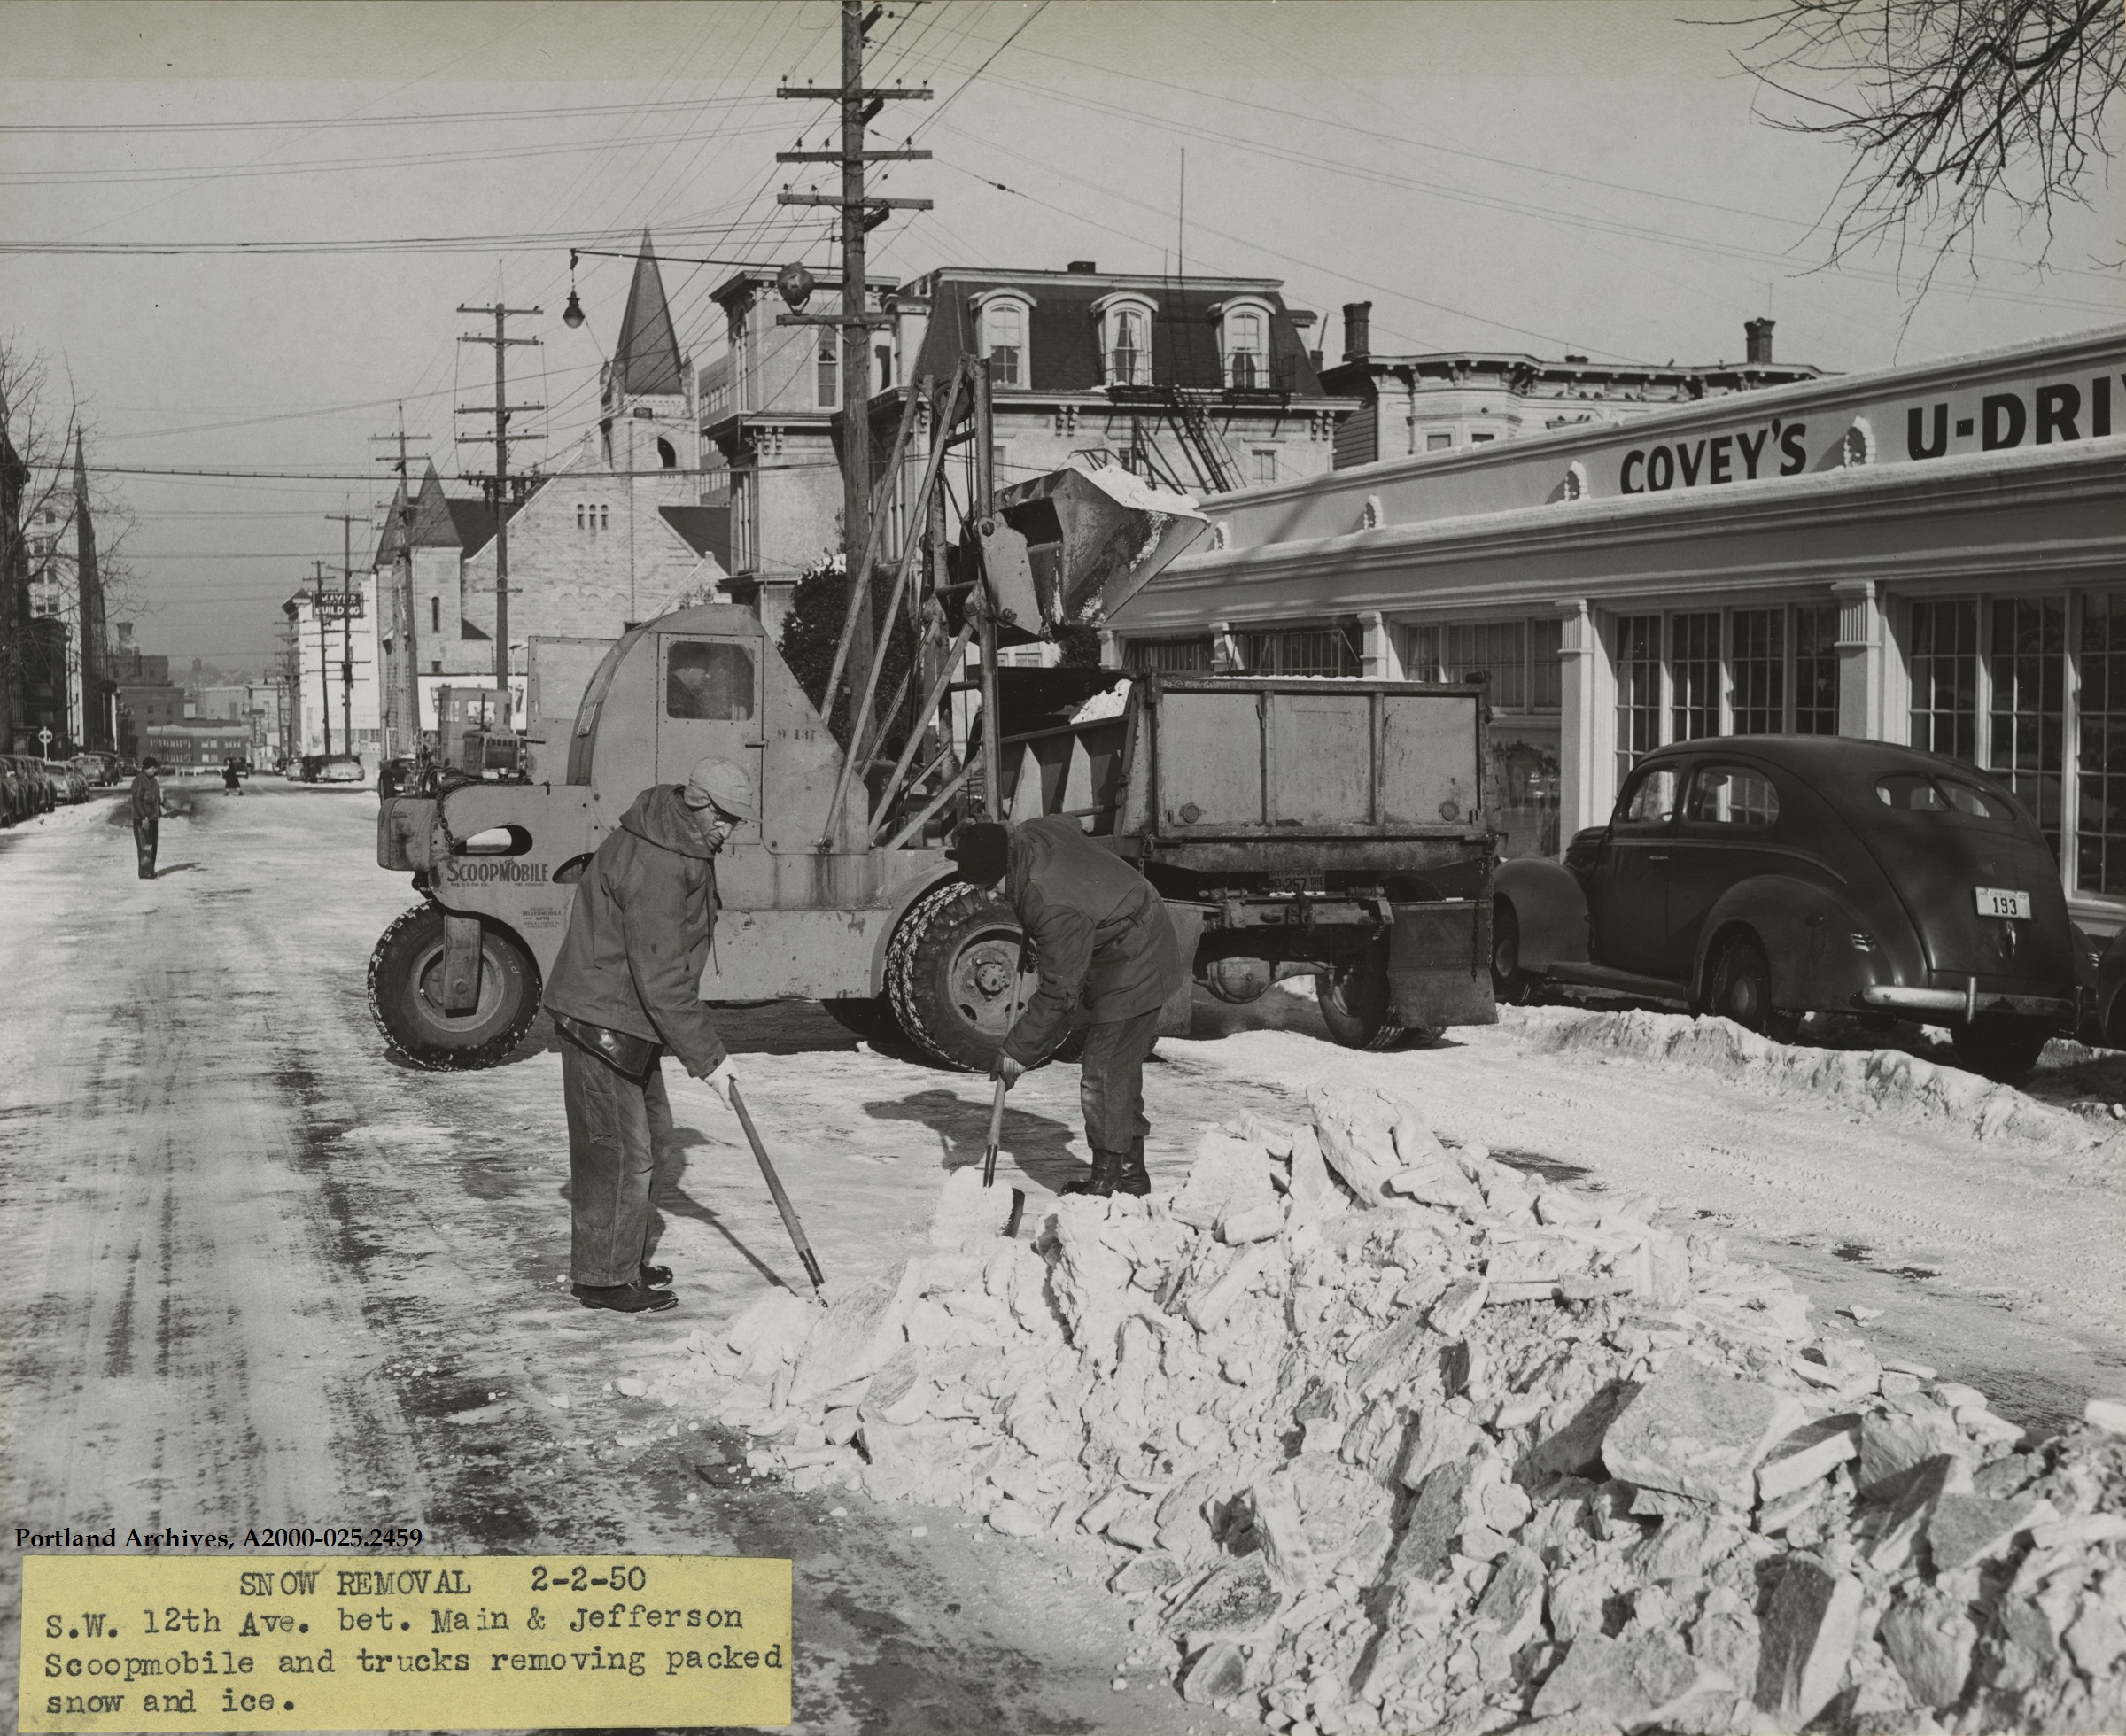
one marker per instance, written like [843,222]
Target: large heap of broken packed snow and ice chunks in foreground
[1385,1435]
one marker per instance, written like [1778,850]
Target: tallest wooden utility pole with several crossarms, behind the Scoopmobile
[860,216]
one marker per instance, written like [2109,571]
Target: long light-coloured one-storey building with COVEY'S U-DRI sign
[1929,556]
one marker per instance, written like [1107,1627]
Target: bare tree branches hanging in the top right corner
[1948,107]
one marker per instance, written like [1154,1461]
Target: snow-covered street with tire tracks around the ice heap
[263,1276]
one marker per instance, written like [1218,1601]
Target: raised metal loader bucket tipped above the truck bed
[1094,539]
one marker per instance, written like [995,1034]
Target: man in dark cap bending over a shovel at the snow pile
[1109,959]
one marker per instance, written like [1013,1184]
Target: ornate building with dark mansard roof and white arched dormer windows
[1202,384]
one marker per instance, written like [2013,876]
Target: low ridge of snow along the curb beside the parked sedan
[1878,1080]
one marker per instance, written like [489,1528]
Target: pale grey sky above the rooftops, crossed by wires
[1508,175]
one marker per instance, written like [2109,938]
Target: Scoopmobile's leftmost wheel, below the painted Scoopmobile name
[407,995]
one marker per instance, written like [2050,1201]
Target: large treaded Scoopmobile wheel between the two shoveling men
[954,974]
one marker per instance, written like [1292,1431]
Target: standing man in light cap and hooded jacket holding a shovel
[624,991]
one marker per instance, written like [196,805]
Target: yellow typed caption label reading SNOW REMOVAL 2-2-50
[403,1644]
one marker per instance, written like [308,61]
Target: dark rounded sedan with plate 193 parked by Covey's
[1770,876]
